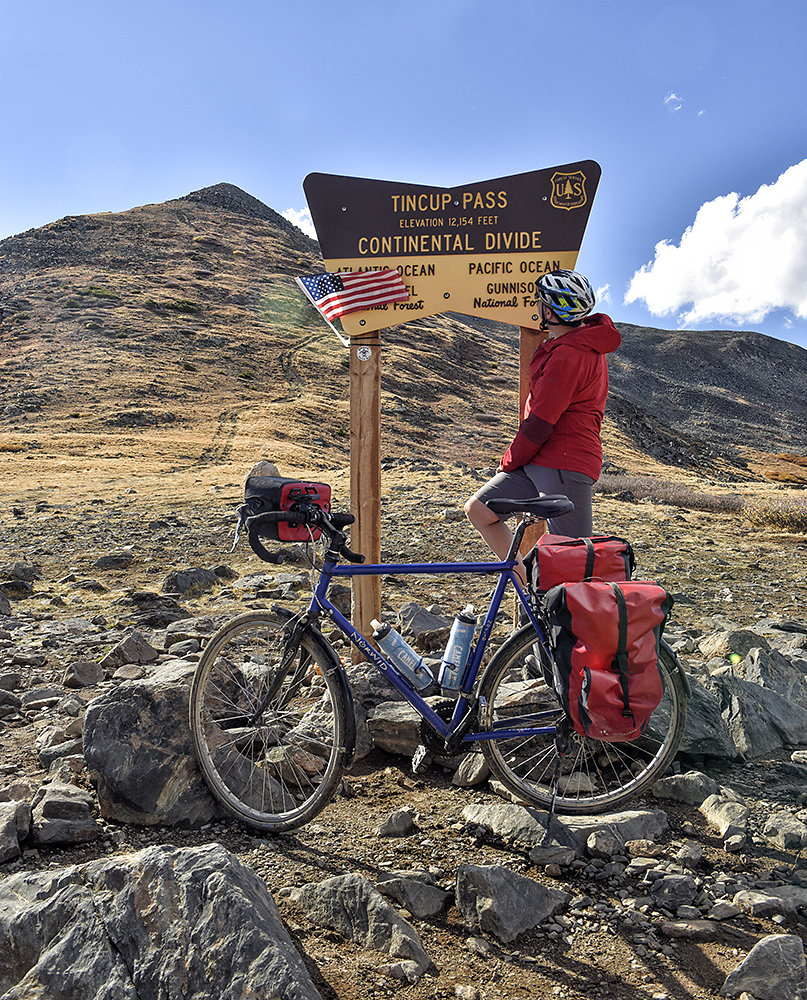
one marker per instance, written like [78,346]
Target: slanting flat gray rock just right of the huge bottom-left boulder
[354,908]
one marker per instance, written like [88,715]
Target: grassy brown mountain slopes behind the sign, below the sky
[182,318]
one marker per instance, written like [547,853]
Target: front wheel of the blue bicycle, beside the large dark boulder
[277,771]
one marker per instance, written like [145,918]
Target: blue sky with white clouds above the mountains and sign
[695,111]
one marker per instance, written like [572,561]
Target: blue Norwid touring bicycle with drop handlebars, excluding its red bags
[271,710]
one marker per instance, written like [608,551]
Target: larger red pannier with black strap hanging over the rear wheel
[605,637]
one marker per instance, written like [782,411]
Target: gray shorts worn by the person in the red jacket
[532,480]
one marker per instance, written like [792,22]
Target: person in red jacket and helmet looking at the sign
[557,448]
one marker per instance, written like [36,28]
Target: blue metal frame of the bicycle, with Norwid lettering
[463,715]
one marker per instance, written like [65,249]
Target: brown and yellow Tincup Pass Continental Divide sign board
[476,249]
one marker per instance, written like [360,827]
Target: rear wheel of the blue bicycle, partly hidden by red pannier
[595,776]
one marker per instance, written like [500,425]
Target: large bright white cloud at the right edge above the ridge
[739,260]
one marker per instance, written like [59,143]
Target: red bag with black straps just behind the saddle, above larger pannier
[557,559]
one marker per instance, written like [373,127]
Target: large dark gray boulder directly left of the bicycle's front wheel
[138,749]
